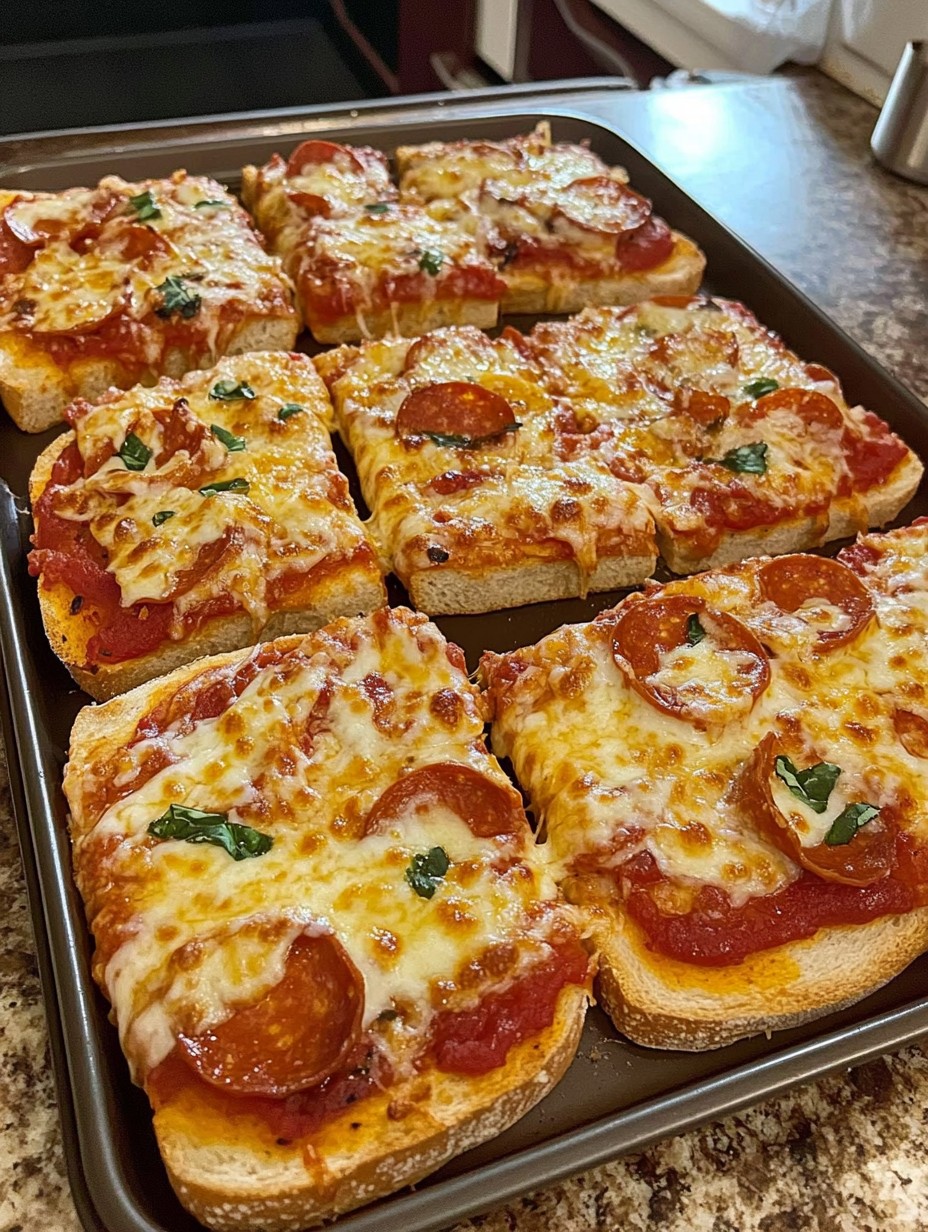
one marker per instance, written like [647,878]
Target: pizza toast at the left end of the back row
[129,283]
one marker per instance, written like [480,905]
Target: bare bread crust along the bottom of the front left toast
[235,1176]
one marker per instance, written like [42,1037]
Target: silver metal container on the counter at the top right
[900,140]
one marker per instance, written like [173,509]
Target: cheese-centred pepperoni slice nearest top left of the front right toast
[651,629]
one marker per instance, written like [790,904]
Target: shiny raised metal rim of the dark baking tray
[563,1156]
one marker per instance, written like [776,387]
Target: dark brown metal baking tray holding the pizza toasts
[616,1097]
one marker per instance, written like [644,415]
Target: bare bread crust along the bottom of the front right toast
[666,1005]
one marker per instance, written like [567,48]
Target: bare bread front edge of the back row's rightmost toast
[552,291]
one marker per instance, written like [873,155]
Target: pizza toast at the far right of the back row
[565,229]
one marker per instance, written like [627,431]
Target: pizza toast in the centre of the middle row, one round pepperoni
[457,447]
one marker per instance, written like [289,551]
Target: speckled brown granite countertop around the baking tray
[786,163]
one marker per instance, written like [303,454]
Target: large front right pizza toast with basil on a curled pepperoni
[731,774]
